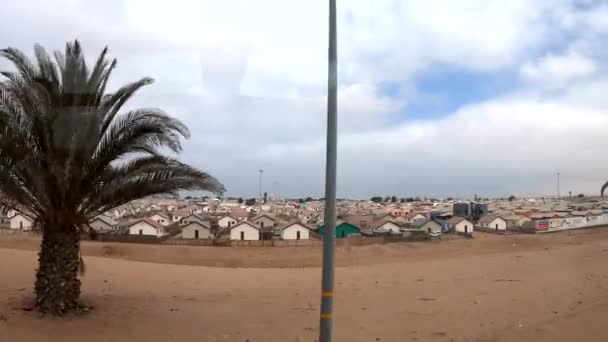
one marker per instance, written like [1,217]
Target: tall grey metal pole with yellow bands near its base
[326,333]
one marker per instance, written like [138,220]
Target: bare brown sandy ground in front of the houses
[492,288]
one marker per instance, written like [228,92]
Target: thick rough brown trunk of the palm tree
[57,285]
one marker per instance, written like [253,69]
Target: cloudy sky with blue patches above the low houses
[436,98]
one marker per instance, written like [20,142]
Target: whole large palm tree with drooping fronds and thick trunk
[67,155]
